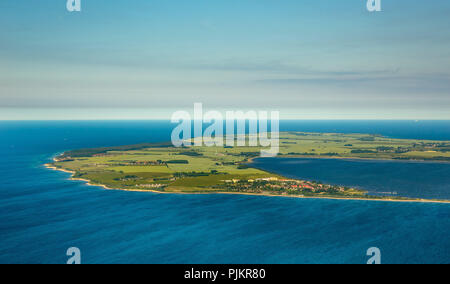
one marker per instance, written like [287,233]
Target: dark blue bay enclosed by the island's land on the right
[389,178]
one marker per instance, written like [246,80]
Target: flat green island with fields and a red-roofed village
[163,168]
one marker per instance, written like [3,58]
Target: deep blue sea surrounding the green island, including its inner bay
[43,213]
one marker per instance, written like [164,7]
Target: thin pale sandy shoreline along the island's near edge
[89,183]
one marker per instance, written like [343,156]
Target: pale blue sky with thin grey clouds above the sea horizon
[309,59]
